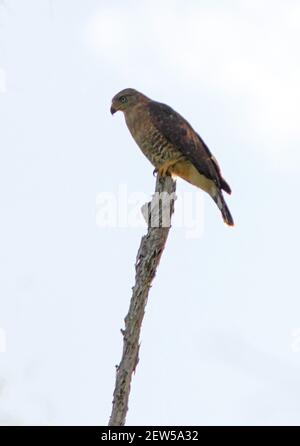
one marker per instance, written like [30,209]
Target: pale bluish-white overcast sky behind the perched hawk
[220,341]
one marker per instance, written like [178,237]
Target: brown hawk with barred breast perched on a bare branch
[172,145]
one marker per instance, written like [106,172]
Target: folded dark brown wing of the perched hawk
[180,133]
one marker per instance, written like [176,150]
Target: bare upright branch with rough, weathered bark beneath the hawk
[158,215]
